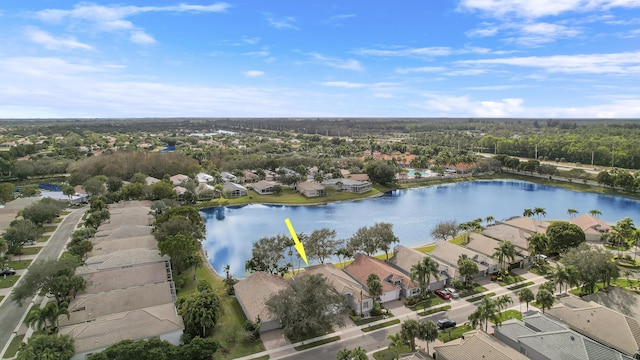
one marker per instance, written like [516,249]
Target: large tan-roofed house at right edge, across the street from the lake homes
[606,326]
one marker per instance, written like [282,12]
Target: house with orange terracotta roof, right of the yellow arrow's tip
[394,282]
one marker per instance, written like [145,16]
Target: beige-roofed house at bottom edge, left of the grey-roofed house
[474,345]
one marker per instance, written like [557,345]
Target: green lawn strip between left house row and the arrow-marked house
[229,328]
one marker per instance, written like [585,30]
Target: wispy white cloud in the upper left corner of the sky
[113,18]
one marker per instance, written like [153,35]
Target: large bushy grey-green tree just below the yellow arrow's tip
[308,306]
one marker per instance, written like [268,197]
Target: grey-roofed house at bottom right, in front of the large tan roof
[541,338]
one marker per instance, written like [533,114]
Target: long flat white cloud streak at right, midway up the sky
[614,63]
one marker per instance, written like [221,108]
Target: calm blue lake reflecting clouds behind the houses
[413,213]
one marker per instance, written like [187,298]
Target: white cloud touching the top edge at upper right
[541,8]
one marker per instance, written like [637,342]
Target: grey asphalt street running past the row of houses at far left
[10,312]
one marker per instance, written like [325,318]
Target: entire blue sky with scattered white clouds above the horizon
[285,58]
